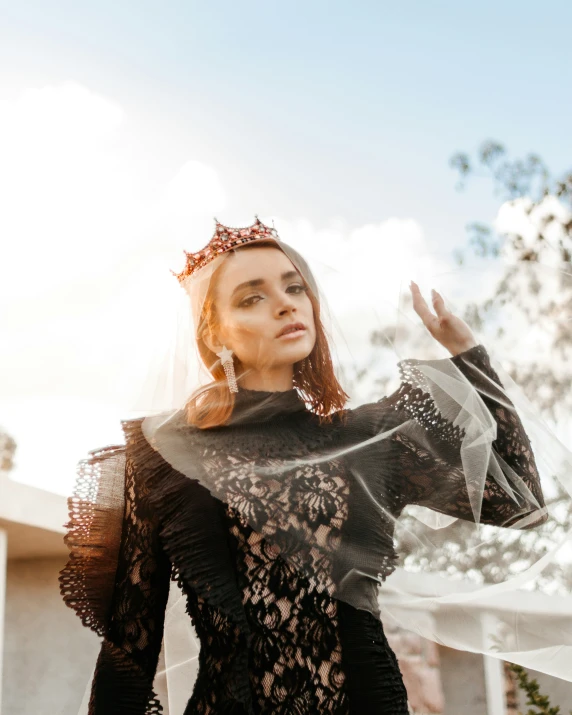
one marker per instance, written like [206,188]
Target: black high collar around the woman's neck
[262,405]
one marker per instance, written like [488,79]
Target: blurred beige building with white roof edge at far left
[46,655]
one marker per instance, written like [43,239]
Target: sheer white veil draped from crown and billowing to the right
[433,453]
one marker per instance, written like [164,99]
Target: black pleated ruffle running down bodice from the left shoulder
[194,540]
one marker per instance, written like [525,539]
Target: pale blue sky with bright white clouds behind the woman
[126,127]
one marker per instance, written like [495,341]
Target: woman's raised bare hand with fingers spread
[452,332]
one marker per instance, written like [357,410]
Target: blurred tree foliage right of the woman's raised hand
[537,246]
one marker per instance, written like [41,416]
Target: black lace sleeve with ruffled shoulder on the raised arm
[485,473]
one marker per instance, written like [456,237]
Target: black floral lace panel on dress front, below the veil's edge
[294,620]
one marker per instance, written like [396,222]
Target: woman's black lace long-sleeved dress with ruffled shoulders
[273,640]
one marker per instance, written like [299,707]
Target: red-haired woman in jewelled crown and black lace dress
[272,505]
